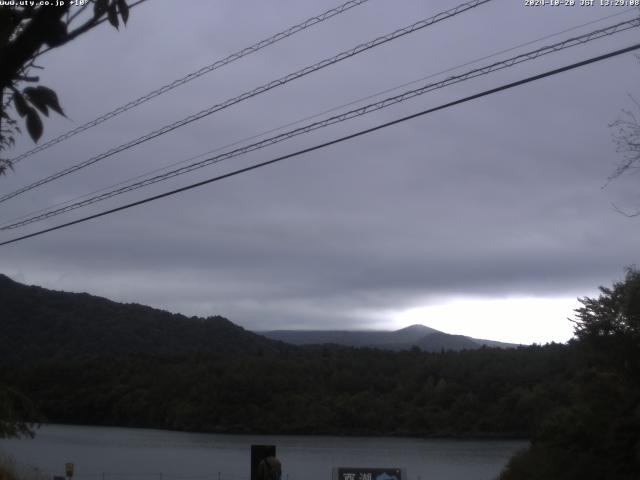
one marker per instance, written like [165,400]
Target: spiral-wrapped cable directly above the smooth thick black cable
[571,42]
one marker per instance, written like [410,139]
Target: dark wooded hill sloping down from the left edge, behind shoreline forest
[40,324]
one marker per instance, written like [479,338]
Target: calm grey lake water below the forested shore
[104,453]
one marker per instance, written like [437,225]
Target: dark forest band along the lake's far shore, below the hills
[324,390]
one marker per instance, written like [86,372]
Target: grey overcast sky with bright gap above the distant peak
[486,219]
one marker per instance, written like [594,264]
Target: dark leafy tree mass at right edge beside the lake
[596,435]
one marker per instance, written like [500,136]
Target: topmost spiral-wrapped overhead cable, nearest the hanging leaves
[193,75]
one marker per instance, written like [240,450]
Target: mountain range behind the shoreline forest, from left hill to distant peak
[42,324]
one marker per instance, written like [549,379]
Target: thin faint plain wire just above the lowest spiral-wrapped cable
[311,117]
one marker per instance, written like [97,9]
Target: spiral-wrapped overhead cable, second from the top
[264,88]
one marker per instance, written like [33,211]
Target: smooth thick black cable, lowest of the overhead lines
[333,142]
